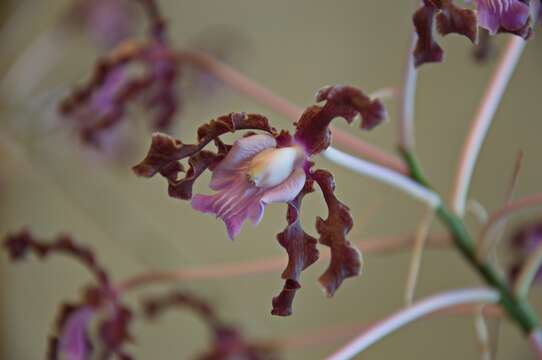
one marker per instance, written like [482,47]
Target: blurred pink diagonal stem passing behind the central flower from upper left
[263,95]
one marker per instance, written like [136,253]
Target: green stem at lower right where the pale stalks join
[518,309]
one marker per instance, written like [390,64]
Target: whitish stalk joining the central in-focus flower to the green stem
[384,175]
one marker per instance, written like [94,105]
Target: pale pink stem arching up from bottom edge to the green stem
[420,309]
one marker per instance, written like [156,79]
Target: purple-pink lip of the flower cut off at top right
[511,15]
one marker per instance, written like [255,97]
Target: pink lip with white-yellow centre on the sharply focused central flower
[253,174]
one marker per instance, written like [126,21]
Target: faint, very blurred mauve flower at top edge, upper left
[107,22]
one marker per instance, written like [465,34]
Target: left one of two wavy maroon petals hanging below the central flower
[302,252]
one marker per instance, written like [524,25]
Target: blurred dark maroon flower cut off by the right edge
[525,241]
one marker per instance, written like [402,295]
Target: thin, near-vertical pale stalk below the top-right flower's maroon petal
[407,99]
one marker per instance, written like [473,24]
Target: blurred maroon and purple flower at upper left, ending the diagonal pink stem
[142,72]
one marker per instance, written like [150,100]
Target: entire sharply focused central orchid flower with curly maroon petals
[260,169]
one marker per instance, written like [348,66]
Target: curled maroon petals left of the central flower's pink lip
[165,151]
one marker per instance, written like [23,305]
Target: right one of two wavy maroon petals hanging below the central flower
[345,258]
